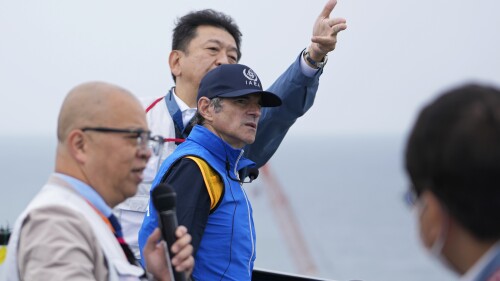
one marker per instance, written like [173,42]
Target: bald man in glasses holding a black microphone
[68,231]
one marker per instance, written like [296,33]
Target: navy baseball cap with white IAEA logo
[235,80]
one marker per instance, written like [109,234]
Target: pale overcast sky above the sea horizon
[395,56]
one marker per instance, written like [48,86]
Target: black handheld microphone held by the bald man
[164,201]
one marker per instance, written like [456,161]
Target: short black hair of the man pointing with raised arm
[185,28]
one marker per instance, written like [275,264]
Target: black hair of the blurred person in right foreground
[454,152]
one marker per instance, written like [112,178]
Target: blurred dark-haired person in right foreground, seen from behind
[453,161]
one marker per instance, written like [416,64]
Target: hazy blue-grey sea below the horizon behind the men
[337,198]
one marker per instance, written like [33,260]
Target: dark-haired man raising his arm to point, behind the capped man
[201,41]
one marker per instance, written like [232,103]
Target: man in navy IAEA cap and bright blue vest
[203,170]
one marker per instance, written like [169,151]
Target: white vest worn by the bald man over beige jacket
[54,194]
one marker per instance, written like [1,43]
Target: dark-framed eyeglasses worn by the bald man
[144,138]
